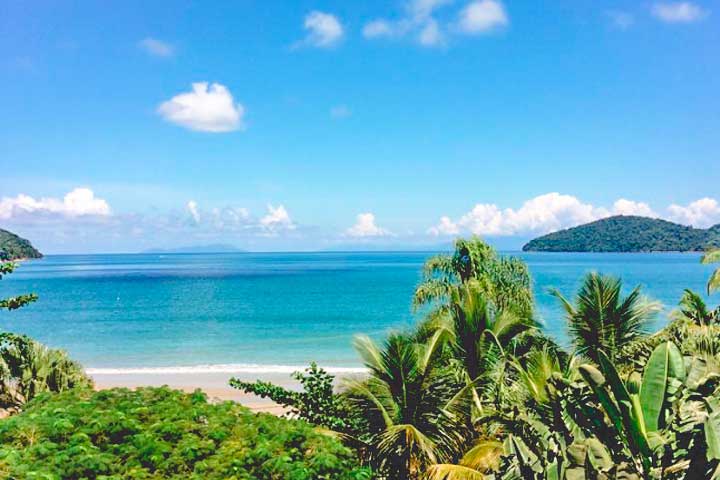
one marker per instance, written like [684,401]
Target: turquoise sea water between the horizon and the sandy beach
[269,311]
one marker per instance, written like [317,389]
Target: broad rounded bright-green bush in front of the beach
[154,433]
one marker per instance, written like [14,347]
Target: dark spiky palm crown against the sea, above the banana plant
[602,320]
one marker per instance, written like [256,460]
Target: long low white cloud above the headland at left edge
[79,202]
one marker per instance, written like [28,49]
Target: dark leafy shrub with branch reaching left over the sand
[317,403]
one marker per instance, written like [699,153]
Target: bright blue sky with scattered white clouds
[312,125]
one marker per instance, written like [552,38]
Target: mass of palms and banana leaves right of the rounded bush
[478,391]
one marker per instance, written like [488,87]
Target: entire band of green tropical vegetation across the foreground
[476,390]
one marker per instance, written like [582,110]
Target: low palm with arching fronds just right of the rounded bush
[406,401]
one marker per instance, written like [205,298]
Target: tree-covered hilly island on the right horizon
[628,234]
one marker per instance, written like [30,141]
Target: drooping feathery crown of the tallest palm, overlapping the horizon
[505,280]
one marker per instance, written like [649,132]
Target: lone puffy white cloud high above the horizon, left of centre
[204,109]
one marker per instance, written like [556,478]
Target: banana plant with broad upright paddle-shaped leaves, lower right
[639,408]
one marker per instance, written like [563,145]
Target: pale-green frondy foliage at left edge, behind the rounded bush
[28,368]
